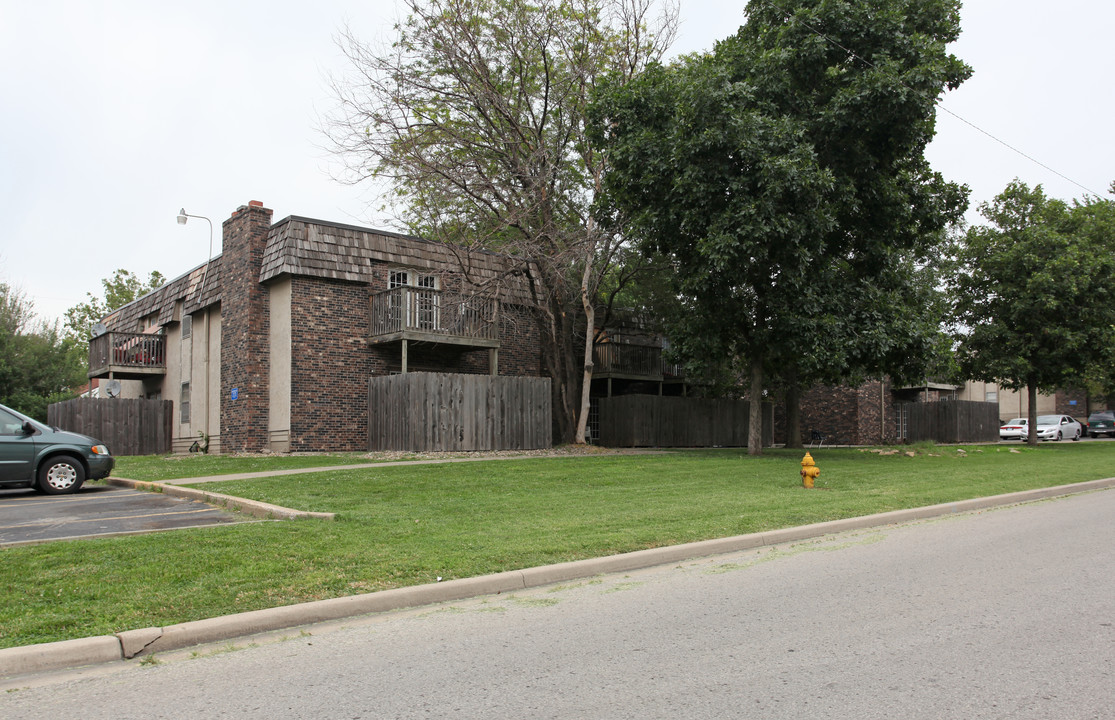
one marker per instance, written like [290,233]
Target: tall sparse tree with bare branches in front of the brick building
[476,116]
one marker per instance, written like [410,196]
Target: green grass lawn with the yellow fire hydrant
[401,527]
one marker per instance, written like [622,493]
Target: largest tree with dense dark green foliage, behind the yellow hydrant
[784,177]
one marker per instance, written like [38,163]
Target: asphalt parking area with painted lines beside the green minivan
[100,510]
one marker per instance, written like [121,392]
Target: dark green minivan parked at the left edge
[53,461]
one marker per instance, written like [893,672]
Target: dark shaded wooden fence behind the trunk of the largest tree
[652,421]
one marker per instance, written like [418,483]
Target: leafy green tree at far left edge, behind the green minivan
[35,366]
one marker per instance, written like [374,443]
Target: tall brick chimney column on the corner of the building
[245,332]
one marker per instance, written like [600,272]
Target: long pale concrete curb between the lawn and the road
[124,646]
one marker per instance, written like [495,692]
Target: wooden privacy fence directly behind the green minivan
[127,426]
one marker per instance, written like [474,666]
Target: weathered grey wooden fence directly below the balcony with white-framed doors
[431,412]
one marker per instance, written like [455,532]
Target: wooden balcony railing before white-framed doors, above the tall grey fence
[433,316]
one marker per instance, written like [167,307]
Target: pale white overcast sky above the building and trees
[117,114]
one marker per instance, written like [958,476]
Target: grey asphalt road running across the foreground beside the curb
[1006,614]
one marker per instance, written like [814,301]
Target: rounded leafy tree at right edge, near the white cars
[1035,293]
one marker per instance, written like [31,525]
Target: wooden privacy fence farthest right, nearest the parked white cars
[948,422]
